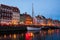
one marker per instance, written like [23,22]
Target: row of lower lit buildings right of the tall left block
[38,20]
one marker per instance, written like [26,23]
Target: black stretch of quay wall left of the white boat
[12,29]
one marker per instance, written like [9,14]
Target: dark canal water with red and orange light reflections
[41,35]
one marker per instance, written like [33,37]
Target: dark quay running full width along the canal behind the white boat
[21,29]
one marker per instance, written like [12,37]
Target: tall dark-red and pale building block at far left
[9,14]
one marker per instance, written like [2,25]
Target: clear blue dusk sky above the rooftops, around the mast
[47,8]
